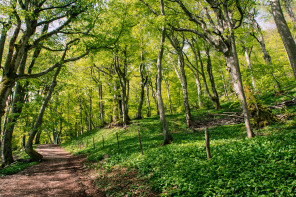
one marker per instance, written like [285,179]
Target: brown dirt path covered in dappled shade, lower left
[59,174]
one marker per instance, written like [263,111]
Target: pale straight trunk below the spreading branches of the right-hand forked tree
[234,70]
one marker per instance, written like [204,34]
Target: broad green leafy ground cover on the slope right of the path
[262,166]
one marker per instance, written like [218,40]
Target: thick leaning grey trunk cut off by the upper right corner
[285,33]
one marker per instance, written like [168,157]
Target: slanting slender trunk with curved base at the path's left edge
[35,156]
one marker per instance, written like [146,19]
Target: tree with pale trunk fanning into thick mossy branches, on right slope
[216,24]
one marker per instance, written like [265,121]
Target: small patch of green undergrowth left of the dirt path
[17,166]
